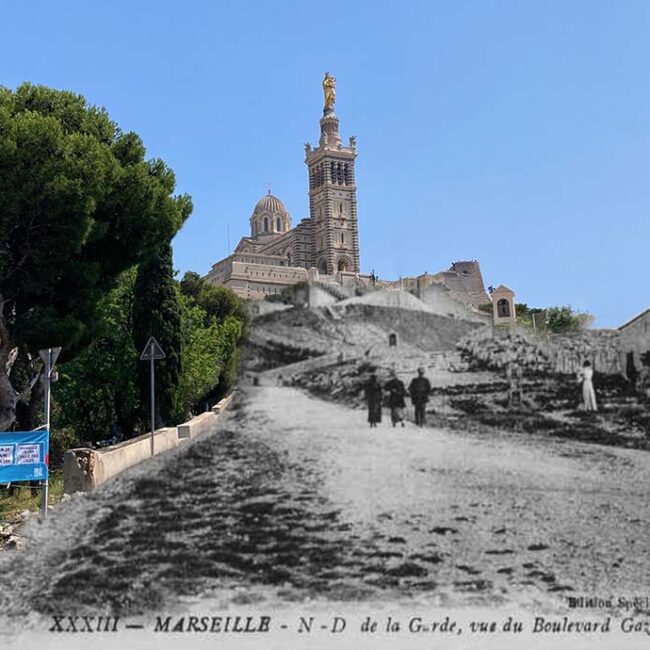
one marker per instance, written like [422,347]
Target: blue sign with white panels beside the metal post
[24,456]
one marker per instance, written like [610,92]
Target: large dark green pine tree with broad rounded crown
[79,204]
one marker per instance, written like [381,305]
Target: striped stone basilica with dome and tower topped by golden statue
[323,247]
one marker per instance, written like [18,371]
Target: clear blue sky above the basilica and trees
[515,133]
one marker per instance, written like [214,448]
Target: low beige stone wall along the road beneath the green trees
[84,469]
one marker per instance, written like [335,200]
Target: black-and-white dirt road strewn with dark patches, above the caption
[294,498]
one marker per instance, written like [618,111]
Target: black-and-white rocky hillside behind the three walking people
[332,351]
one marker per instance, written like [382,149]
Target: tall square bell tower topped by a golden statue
[333,193]
